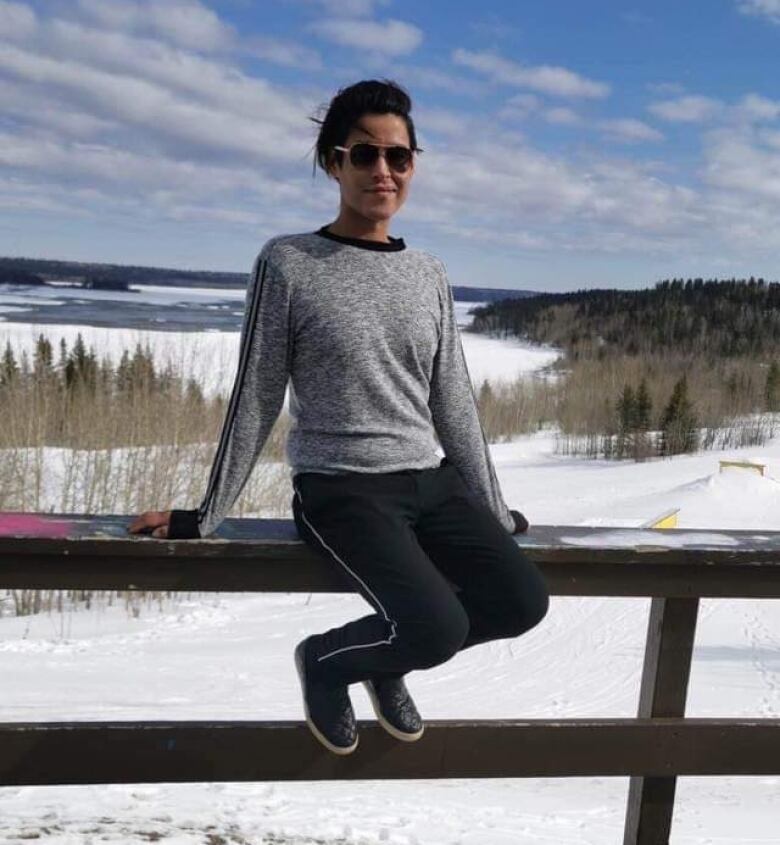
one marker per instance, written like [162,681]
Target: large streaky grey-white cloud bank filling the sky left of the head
[132,128]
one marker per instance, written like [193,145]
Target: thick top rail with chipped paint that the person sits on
[267,555]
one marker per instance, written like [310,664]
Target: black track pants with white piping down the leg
[437,566]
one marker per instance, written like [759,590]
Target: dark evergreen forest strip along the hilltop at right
[725,318]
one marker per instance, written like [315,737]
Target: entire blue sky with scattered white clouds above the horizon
[567,144]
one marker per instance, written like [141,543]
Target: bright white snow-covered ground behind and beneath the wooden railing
[230,657]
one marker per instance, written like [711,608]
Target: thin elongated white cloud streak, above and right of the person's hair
[546,79]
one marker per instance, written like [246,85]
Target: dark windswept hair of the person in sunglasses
[371,96]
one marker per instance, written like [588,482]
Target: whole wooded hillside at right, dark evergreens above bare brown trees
[691,364]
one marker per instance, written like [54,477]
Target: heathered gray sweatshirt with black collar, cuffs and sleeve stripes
[366,335]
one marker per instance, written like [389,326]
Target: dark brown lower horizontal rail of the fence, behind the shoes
[154,752]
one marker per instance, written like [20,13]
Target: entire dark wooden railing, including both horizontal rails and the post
[674,568]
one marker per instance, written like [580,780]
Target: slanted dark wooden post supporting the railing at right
[667,667]
